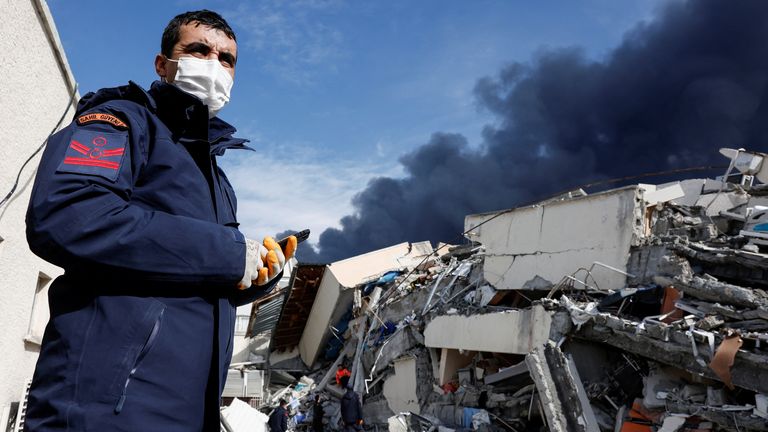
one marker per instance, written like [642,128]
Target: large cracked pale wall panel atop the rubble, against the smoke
[555,239]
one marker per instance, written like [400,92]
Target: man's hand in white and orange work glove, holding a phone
[264,261]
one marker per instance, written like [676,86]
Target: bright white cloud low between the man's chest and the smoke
[296,189]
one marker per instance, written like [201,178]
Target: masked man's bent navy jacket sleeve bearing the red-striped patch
[81,216]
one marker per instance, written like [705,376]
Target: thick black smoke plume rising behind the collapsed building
[674,91]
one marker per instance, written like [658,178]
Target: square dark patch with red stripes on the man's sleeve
[95,153]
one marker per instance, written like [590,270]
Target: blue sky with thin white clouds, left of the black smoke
[331,93]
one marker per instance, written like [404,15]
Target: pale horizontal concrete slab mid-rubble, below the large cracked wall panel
[512,332]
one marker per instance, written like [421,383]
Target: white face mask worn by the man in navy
[205,79]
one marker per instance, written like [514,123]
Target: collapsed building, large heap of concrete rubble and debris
[641,308]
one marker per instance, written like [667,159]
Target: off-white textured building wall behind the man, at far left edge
[34,91]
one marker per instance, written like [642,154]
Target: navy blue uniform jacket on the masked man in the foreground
[130,201]
